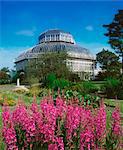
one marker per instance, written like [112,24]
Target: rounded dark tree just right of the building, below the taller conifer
[109,63]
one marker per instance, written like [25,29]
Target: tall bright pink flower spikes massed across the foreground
[59,126]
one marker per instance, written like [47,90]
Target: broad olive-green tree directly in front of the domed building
[47,63]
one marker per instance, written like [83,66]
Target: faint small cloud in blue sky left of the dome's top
[26,32]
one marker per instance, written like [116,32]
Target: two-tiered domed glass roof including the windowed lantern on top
[56,42]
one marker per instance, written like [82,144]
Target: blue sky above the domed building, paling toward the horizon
[21,22]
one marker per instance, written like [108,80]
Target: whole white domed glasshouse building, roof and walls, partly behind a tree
[80,61]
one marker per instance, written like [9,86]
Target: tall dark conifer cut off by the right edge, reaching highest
[115,34]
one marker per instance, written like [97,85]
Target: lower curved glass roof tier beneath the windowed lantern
[73,50]
